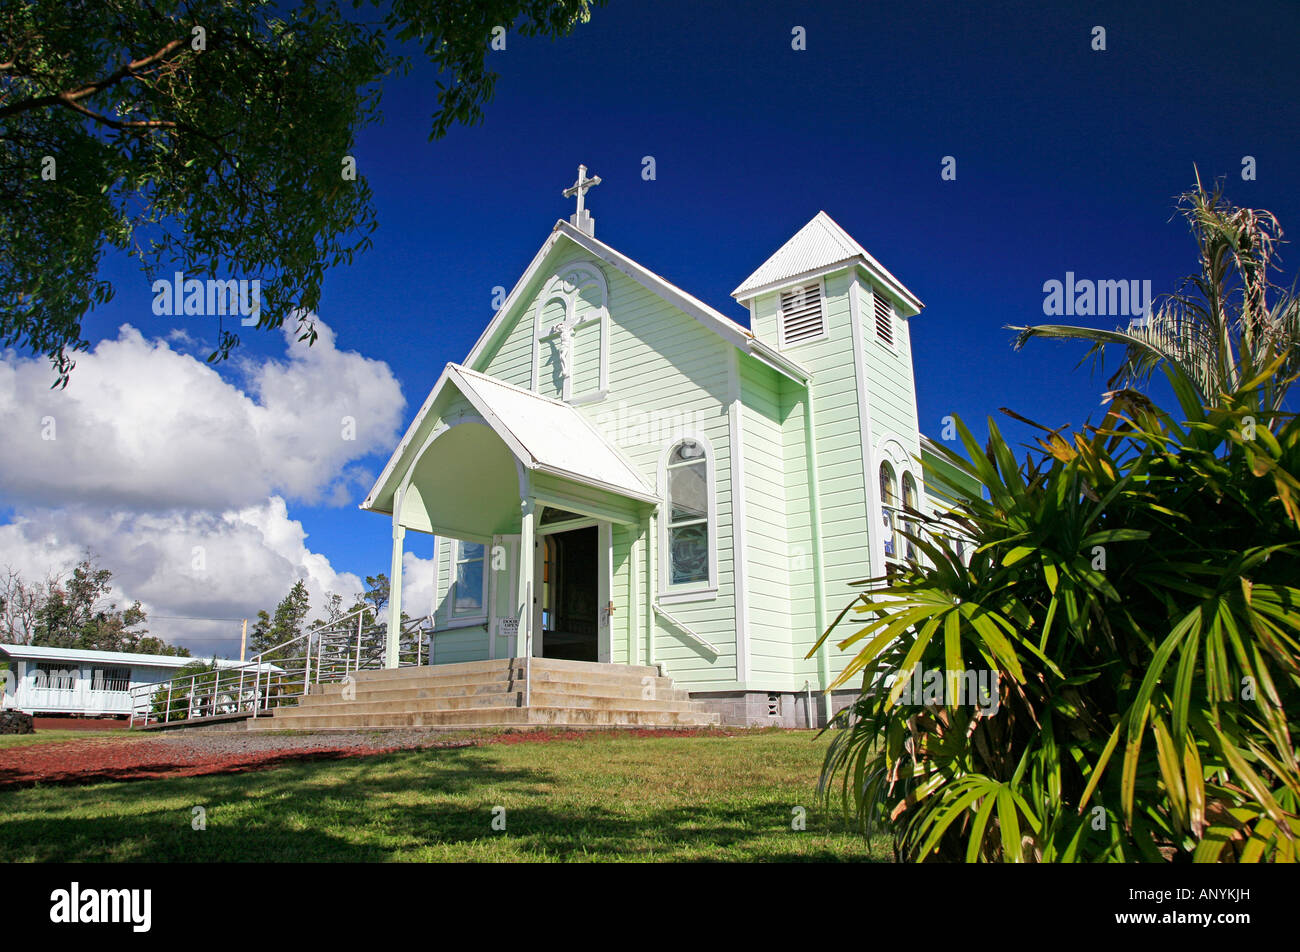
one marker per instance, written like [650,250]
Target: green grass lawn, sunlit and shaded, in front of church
[599,799]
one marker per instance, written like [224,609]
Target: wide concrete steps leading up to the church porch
[491,694]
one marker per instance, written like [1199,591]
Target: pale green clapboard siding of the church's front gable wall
[669,377]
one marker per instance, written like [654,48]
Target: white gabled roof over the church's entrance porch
[545,435]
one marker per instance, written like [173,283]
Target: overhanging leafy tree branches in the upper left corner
[210,137]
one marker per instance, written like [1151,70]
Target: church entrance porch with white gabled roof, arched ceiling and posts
[525,496]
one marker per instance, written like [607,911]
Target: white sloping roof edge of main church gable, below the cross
[721,324]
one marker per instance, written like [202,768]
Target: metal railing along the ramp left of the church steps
[283,674]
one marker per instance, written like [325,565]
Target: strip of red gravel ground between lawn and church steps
[106,759]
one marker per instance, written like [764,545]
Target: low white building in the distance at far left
[73,681]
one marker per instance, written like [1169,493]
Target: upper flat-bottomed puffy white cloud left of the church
[145,427]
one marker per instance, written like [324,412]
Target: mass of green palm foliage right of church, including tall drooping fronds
[1136,591]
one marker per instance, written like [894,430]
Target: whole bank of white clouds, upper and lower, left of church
[177,478]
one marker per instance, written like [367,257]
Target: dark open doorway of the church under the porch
[570,595]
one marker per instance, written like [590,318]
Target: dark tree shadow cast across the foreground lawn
[396,807]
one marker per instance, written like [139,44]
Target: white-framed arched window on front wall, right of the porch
[687,525]
